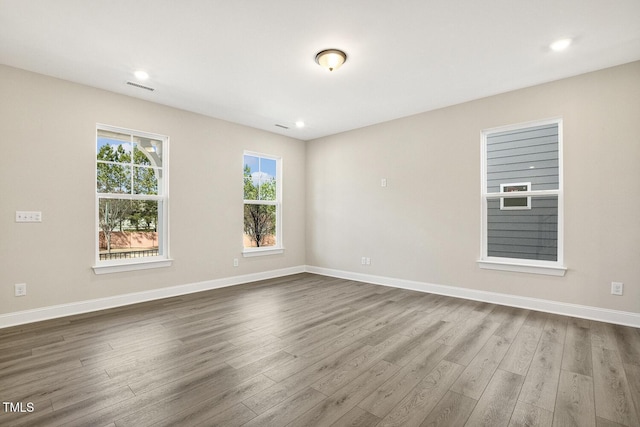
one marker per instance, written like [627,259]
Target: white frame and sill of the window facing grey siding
[553,268]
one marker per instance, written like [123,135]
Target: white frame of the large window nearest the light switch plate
[143,263]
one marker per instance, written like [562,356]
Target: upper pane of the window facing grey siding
[524,155]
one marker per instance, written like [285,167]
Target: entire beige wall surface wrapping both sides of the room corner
[424,226]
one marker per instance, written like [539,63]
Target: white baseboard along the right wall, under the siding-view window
[573,310]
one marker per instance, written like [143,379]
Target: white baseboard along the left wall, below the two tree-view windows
[62,310]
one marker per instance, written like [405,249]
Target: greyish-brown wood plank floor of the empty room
[309,350]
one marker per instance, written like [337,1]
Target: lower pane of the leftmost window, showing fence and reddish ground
[128,228]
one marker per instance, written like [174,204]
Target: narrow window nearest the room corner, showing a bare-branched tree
[262,204]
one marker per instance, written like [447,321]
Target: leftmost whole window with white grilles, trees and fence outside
[131,200]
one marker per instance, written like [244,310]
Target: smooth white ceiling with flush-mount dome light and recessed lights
[252,61]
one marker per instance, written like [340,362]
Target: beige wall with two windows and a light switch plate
[47,141]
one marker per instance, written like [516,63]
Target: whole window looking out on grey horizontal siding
[522,198]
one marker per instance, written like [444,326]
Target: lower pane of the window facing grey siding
[524,234]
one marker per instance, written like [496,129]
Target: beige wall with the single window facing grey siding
[425,225]
